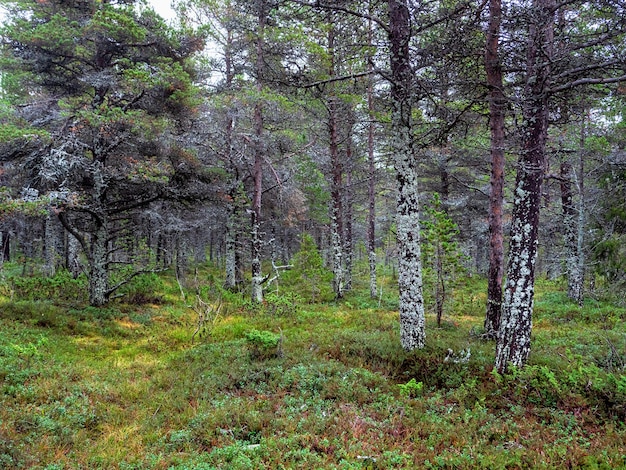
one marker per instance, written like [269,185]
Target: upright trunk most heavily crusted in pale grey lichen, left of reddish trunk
[412,320]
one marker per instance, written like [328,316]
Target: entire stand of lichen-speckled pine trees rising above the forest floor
[130,145]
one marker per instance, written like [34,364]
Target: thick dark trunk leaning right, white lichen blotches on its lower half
[513,345]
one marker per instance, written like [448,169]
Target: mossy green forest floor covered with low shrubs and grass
[290,384]
